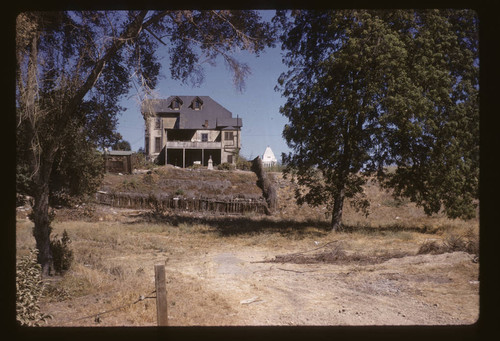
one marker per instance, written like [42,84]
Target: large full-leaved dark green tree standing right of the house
[366,89]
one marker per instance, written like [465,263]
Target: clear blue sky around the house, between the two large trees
[258,104]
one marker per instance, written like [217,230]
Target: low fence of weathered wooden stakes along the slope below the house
[174,203]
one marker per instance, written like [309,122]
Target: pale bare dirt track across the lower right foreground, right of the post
[414,290]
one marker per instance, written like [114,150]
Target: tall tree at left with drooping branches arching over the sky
[73,68]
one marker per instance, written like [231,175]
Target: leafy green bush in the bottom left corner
[29,291]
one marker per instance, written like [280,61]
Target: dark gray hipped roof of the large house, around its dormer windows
[211,111]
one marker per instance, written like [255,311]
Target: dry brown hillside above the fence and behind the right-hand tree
[384,211]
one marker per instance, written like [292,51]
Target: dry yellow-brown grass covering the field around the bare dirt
[115,253]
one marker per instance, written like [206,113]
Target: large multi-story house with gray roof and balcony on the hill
[187,130]
